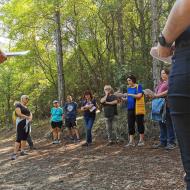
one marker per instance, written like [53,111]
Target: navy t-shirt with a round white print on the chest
[70,110]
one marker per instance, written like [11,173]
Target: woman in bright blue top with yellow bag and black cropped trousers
[136,110]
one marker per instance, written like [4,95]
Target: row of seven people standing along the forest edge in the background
[134,104]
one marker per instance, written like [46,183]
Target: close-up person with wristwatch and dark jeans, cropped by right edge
[177,29]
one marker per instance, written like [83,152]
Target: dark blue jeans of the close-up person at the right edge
[179,102]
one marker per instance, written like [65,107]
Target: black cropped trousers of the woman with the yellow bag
[132,118]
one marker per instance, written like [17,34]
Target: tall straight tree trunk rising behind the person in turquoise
[59,52]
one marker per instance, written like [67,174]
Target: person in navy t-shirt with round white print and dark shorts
[70,111]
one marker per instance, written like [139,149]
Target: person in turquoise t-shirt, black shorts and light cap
[56,121]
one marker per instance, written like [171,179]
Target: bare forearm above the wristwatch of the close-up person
[178,20]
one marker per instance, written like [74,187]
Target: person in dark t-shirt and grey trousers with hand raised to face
[109,102]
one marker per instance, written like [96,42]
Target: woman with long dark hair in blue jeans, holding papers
[89,109]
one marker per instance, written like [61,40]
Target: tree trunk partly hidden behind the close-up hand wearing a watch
[156,67]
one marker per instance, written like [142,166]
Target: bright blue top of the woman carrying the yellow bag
[131,100]
